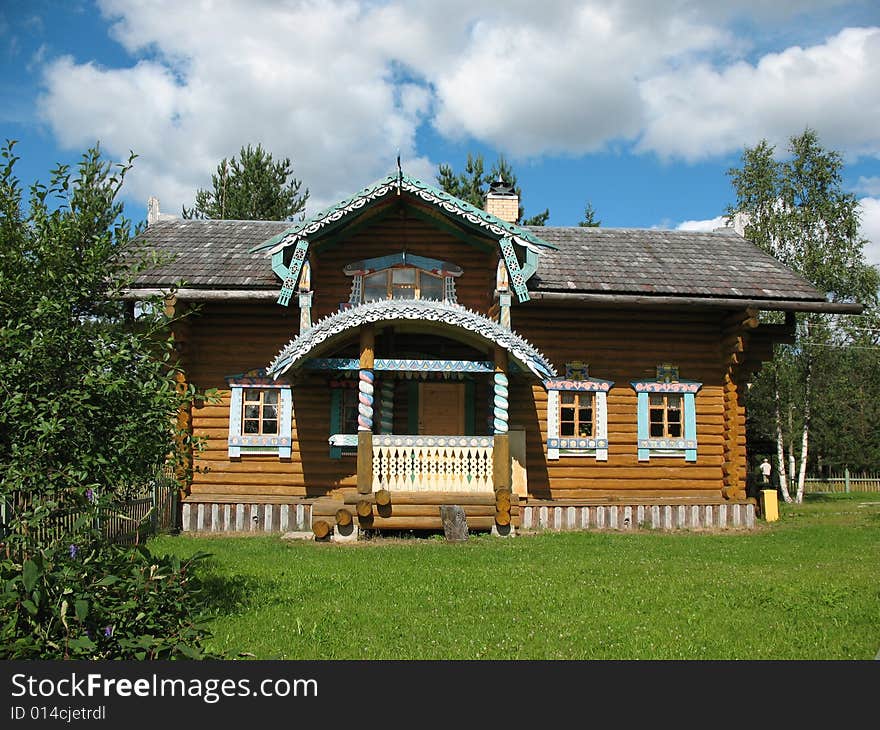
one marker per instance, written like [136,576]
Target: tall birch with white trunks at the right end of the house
[797,210]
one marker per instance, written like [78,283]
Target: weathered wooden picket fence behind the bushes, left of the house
[153,510]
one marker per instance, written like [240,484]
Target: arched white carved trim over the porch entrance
[387,310]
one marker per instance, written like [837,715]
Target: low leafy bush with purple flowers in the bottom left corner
[100,602]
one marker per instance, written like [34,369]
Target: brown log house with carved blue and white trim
[403,350]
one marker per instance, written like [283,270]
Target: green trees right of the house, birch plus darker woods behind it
[797,210]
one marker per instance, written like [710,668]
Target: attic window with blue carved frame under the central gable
[402,276]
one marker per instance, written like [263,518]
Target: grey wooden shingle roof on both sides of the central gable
[217,255]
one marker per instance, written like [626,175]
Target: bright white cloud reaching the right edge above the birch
[703,111]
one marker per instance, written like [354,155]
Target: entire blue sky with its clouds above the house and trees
[639,107]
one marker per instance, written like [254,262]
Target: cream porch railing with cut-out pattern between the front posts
[432,463]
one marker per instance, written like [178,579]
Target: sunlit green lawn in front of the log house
[805,587]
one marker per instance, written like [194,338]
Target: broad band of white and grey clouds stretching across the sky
[340,86]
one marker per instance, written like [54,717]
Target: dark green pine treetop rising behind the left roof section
[251,187]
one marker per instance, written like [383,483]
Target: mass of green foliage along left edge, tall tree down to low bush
[89,401]
